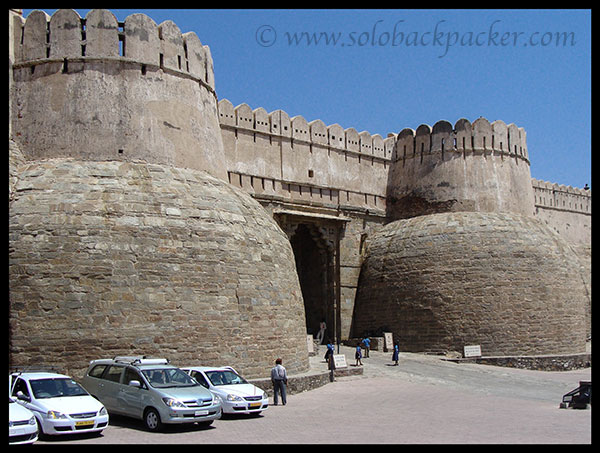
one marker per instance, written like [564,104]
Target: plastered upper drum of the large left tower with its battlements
[95,88]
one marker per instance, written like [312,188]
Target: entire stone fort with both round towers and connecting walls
[120,243]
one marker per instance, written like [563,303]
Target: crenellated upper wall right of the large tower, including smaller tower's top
[486,167]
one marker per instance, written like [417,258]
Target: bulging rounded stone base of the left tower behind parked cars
[111,258]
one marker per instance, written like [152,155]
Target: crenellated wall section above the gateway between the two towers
[271,154]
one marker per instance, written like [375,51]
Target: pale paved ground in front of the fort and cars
[424,400]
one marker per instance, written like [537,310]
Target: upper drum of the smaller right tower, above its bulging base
[471,166]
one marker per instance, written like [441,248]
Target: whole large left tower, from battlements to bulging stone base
[124,236]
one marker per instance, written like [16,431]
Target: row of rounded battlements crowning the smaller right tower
[481,136]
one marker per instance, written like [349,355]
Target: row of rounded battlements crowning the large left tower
[65,36]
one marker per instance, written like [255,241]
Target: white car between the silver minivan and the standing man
[238,396]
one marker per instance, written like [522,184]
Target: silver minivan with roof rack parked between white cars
[151,390]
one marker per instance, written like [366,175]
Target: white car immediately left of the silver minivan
[59,404]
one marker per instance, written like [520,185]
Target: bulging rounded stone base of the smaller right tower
[442,281]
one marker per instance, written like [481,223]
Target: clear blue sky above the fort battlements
[384,70]
